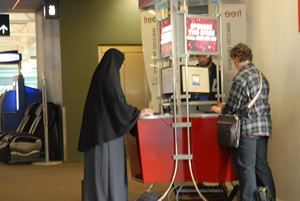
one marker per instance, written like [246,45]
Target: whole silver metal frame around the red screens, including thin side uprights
[174,13]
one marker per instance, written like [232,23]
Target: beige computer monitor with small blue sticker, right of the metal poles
[198,80]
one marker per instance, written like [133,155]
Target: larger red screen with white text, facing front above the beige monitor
[202,34]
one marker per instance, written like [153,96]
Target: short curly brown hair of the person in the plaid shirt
[242,51]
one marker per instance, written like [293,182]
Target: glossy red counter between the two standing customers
[151,152]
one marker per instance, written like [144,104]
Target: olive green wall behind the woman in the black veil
[83,26]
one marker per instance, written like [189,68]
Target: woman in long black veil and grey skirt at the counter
[106,119]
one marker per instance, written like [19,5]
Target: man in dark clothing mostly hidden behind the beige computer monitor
[206,61]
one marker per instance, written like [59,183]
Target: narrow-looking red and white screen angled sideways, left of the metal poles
[165,38]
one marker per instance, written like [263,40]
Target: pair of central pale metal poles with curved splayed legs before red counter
[180,51]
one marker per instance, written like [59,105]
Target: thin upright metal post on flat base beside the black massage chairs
[45,115]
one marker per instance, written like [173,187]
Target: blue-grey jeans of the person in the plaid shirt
[251,163]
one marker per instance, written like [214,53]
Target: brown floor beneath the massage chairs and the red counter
[59,182]
